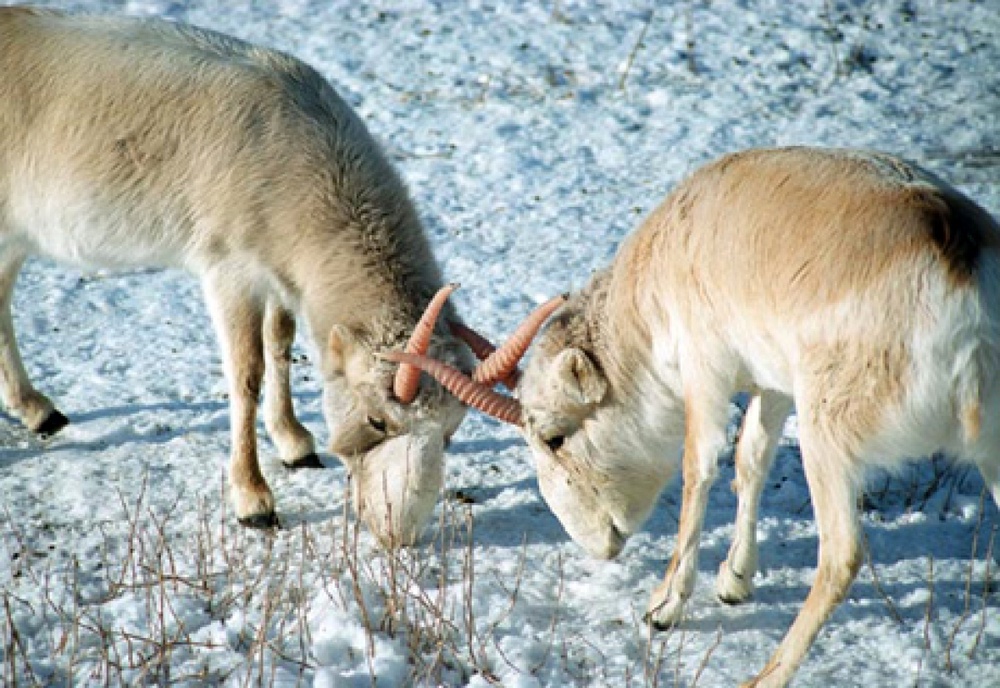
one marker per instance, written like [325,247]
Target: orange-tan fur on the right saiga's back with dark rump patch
[729,261]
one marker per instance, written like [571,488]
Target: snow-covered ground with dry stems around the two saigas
[534,136]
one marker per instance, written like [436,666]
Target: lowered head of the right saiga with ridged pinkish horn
[593,469]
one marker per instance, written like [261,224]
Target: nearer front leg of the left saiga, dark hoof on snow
[239,317]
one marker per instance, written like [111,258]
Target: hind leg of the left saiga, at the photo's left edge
[19,396]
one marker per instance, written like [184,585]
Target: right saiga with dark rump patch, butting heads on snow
[856,286]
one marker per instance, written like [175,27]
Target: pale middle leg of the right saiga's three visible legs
[762,426]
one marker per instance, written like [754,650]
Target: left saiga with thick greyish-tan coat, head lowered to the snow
[127,142]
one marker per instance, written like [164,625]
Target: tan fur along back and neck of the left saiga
[352,197]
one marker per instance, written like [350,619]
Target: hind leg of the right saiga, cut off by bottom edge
[833,491]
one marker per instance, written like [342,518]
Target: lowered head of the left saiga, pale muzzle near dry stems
[388,429]
